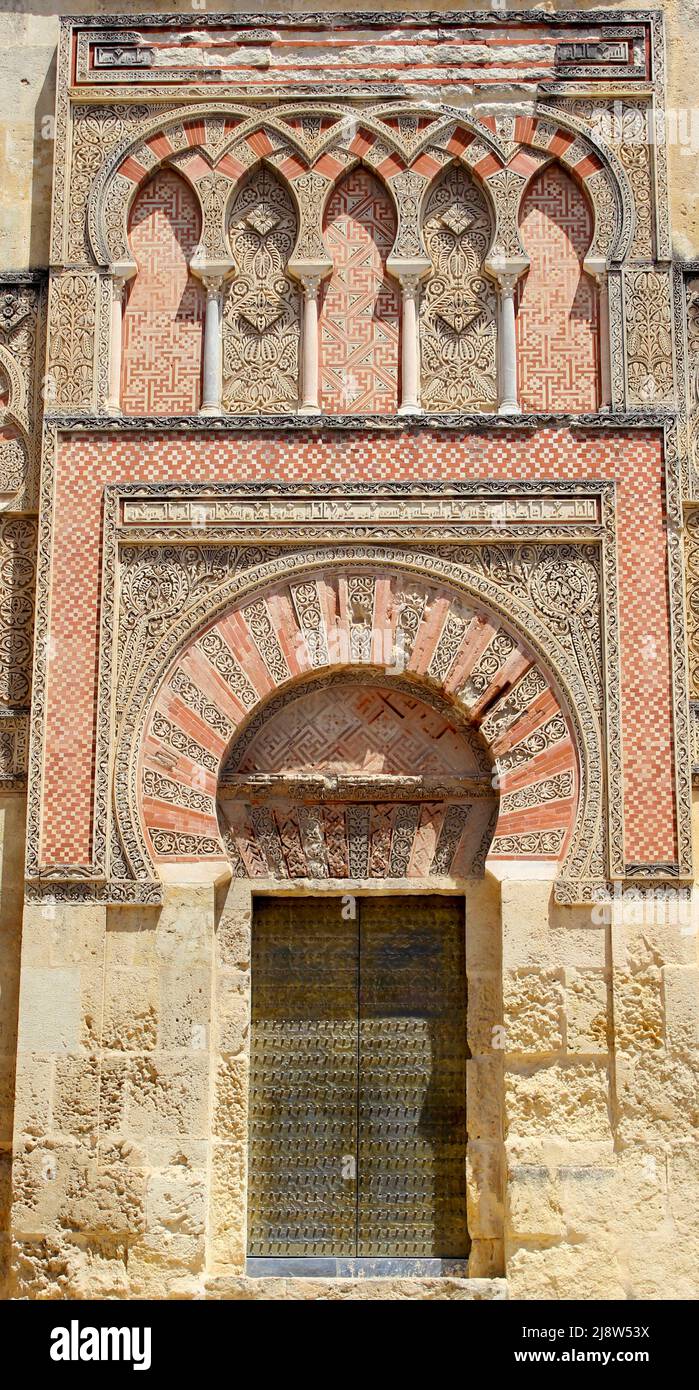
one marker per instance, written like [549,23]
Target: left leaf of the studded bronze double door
[304,1095]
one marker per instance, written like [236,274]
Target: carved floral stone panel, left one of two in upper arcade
[262,315]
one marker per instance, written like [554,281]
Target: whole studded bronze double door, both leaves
[358,1088]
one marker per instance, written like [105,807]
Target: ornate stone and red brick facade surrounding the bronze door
[348,486]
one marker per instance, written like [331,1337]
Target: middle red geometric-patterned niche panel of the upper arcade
[361,305]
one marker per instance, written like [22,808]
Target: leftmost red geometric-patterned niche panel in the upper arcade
[165,313]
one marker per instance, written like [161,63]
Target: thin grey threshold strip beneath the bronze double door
[354,1267]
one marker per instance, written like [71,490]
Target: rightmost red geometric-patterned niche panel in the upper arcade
[558,302]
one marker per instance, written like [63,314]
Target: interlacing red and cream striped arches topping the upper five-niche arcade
[280,136]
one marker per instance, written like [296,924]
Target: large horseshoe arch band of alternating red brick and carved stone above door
[368,625]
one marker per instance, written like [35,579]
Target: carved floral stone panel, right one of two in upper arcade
[458,327]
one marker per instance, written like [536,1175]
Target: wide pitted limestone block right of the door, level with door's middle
[572,1102]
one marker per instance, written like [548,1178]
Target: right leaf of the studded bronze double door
[412,1078]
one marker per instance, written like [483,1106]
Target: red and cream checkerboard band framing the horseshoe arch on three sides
[87,464]
